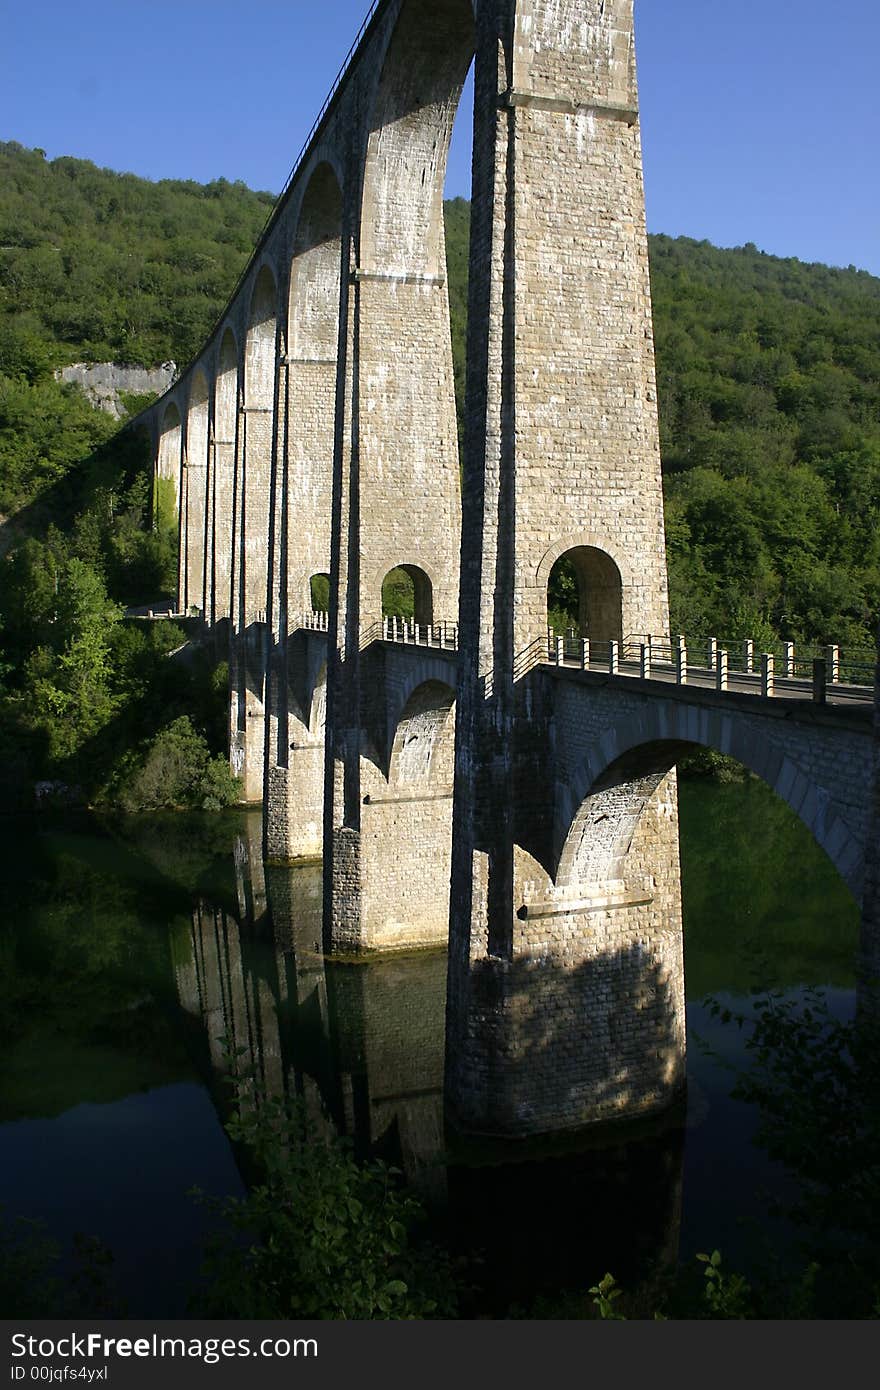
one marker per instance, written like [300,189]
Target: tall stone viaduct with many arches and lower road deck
[455,783]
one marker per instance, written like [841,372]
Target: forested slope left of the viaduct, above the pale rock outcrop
[112,268]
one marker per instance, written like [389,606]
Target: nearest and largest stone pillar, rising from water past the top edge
[565,1003]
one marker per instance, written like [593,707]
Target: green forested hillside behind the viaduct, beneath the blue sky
[769,382]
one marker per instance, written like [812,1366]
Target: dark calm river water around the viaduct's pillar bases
[134,954]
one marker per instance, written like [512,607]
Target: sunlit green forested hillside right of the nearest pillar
[769,391]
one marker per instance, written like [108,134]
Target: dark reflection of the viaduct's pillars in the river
[364,1046]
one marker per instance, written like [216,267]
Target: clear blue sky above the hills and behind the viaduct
[761,119]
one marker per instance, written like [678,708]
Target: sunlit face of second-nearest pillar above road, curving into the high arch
[405,352]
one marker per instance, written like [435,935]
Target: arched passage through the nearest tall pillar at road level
[585,596]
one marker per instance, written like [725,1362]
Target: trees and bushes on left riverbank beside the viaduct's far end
[94,704]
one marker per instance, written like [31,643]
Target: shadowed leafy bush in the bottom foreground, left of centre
[319,1235]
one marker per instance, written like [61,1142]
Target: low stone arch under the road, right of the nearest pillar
[603,806]
